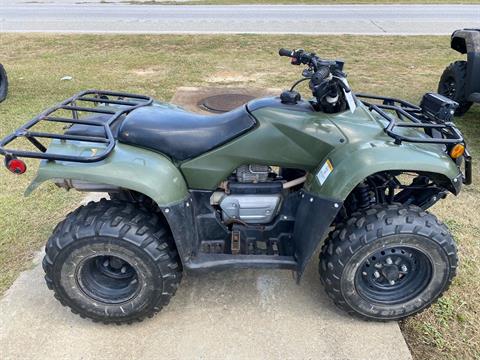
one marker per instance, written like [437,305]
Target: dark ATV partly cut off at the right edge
[461,79]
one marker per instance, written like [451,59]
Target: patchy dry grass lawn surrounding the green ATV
[156,65]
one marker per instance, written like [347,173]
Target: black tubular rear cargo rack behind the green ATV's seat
[86,103]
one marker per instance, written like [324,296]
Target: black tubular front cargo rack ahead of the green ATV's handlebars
[439,132]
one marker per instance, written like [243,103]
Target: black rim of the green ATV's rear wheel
[108,279]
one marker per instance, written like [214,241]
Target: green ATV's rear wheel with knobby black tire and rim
[111,262]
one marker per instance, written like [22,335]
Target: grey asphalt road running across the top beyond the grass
[266,19]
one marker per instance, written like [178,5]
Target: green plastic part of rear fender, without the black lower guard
[126,167]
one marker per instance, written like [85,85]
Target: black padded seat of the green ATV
[180,134]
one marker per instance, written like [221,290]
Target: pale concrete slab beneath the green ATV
[221,315]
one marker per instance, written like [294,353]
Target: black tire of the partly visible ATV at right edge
[453,85]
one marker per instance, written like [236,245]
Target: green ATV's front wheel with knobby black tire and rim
[423,262]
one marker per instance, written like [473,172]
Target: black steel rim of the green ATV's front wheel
[393,275]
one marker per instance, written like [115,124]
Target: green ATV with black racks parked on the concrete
[260,186]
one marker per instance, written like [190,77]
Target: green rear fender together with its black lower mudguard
[131,168]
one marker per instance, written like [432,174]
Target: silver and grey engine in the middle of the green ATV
[252,195]
